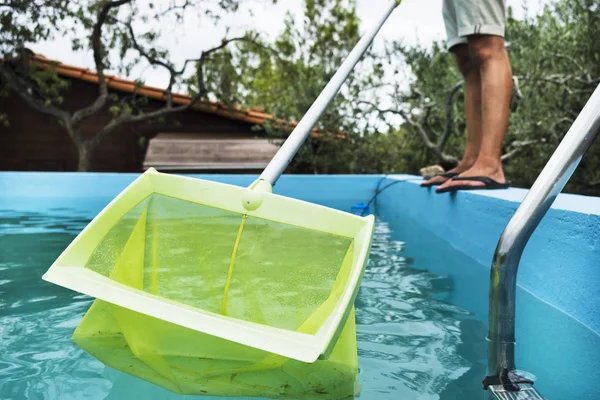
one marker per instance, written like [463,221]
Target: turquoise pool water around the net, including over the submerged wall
[421,322]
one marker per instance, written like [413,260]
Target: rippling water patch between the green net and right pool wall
[409,337]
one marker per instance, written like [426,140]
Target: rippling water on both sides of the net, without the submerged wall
[407,337]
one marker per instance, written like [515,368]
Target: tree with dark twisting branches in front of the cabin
[106,28]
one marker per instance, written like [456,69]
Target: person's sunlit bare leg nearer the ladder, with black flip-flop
[490,55]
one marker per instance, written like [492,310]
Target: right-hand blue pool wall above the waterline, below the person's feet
[561,263]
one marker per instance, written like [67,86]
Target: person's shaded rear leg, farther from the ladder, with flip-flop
[472,103]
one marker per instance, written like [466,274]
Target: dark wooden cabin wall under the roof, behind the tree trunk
[35,141]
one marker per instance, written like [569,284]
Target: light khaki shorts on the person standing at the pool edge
[473,17]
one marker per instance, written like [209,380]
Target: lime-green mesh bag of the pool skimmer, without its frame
[230,264]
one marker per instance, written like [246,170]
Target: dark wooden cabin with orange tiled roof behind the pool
[205,138]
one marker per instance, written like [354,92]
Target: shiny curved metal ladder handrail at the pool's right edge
[503,382]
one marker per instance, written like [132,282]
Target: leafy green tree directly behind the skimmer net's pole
[287,81]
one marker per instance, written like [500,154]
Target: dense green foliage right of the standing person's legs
[557,60]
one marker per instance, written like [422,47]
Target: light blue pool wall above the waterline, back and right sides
[560,265]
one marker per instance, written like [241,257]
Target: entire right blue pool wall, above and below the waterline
[558,322]
